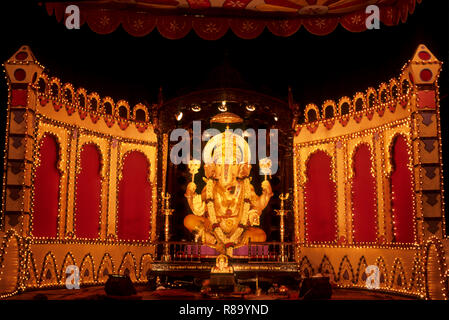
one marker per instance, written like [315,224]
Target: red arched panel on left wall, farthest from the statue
[46,189]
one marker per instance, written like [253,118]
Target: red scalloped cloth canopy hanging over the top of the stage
[211,19]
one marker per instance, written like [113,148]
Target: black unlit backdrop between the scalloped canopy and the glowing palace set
[317,68]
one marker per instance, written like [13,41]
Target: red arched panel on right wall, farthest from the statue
[402,192]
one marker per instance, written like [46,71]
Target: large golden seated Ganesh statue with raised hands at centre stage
[226,213]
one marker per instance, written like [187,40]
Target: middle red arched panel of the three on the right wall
[364,197]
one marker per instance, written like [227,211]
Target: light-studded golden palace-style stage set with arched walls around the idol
[90,182]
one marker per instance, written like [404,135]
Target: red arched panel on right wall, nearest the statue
[320,199]
